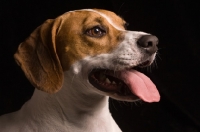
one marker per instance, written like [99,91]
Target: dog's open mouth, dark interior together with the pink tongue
[125,83]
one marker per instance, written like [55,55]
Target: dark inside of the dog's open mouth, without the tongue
[109,82]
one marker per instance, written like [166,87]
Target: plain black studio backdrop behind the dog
[175,22]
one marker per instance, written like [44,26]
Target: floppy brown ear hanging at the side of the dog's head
[38,58]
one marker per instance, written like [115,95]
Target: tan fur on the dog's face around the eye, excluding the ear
[73,44]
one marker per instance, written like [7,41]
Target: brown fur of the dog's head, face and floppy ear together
[57,44]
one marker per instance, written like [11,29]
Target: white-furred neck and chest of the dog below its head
[65,111]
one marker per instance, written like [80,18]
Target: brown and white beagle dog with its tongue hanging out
[76,62]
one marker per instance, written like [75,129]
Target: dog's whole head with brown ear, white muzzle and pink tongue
[93,45]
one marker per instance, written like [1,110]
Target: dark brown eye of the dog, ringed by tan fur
[96,32]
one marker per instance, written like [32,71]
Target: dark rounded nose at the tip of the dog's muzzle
[148,43]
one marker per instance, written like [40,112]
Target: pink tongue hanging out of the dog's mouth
[140,85]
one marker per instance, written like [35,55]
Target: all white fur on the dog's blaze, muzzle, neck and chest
[78,106]
